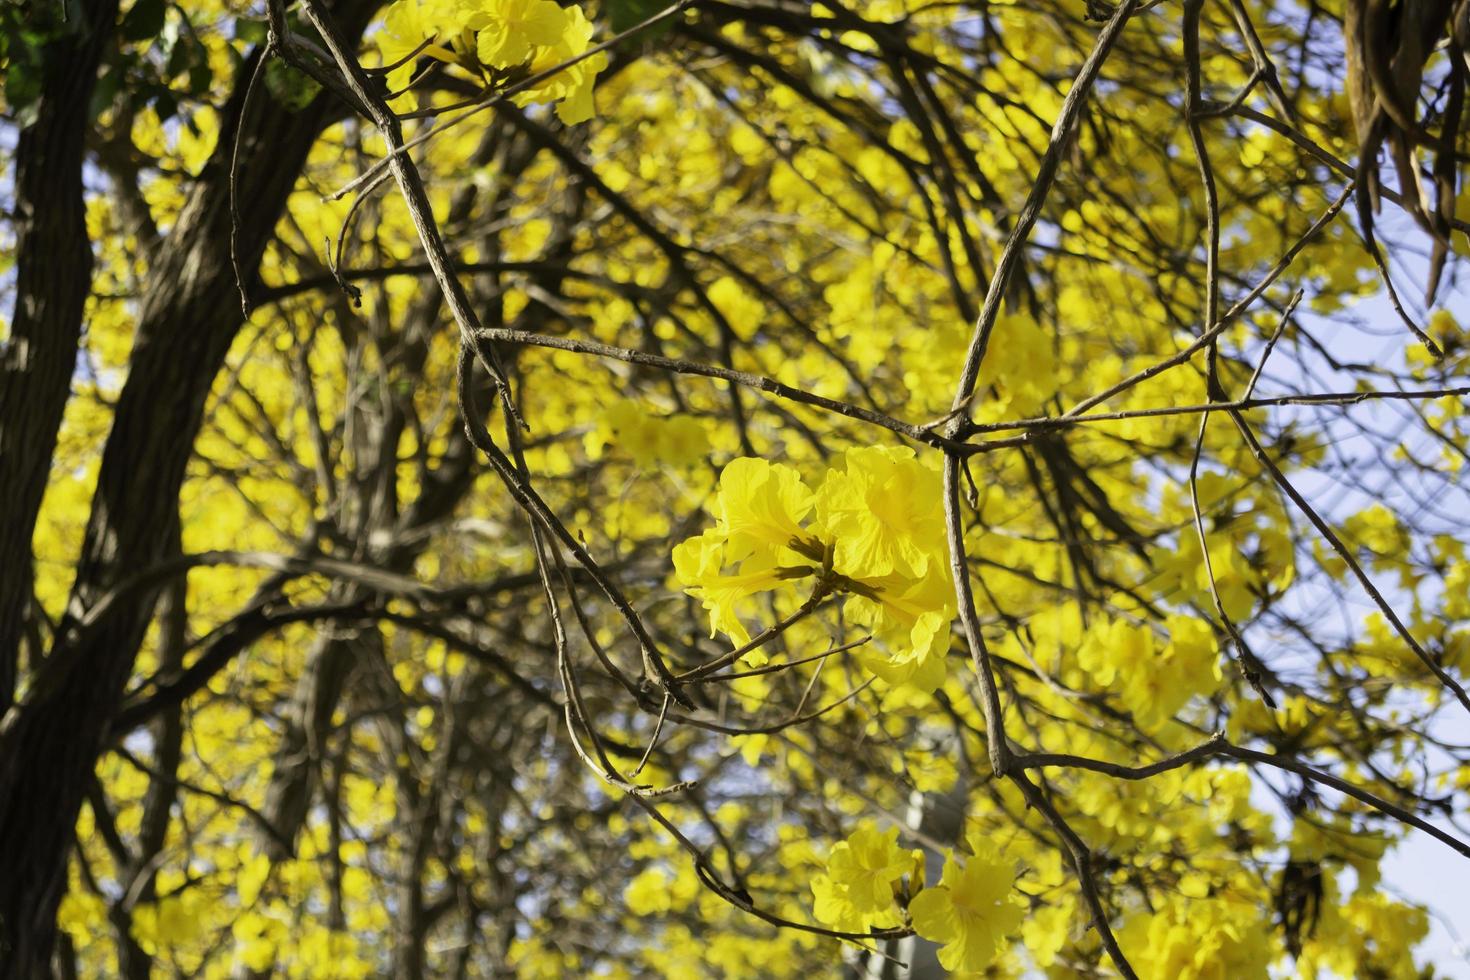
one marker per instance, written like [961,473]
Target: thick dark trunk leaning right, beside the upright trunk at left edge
[190,314]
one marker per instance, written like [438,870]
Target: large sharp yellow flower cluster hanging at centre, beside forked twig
[872,533]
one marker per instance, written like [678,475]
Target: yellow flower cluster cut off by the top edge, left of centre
[511,39]
